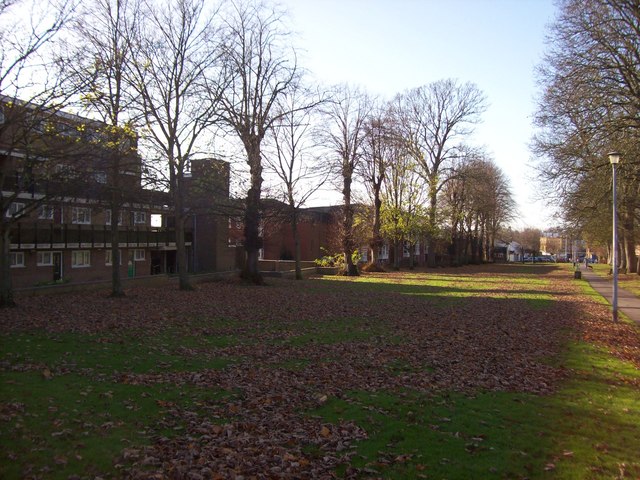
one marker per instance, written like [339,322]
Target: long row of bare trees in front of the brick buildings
[186,73]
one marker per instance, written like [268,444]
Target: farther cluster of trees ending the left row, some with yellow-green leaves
[424,182]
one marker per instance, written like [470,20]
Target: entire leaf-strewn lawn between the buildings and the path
[479,372]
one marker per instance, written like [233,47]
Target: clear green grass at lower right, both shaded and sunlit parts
[588,429]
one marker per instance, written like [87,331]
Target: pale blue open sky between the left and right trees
[389,46]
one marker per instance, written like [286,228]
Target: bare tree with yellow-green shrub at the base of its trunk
[345,137]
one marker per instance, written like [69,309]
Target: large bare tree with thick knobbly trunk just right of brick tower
[260,68]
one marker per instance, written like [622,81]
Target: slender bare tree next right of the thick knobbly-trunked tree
[292,158]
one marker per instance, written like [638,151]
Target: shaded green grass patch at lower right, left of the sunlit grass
[490,435]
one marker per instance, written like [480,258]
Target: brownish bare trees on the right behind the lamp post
[590,106]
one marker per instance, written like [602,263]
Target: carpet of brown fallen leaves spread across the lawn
[262,427]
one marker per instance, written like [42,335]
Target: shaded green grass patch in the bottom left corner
[80,425]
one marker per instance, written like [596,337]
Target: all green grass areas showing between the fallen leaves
[66,407]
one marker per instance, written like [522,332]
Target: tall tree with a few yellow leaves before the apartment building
[102,63]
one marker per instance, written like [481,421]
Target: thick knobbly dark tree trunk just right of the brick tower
[253,242]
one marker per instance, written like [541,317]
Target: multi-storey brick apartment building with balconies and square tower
[61,180]
